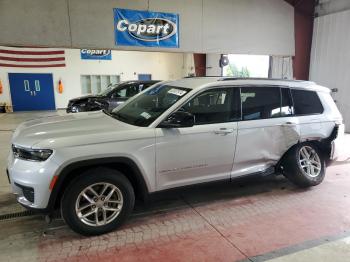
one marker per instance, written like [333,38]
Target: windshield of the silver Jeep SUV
[148,106]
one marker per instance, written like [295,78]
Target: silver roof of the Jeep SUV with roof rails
[197,82]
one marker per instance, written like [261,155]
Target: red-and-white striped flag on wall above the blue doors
[30,57]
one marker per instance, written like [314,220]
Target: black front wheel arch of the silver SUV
[127,167]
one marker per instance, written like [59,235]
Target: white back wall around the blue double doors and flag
[127,64]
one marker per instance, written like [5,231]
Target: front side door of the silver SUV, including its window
[205,151]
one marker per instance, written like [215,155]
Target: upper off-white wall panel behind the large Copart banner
[263,27]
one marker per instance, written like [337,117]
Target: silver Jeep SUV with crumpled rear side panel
[93,165]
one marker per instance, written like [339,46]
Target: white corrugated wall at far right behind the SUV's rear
[330,57]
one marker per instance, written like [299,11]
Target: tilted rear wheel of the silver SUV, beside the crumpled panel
[304,165]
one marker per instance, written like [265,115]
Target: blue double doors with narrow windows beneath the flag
[31,92]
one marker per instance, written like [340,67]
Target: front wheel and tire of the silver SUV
[97,202]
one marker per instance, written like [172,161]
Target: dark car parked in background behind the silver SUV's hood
[110,98]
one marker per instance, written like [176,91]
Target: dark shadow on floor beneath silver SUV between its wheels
[213,192]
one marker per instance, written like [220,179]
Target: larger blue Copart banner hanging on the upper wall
[147,29]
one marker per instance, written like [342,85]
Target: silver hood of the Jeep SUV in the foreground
[70,130]
